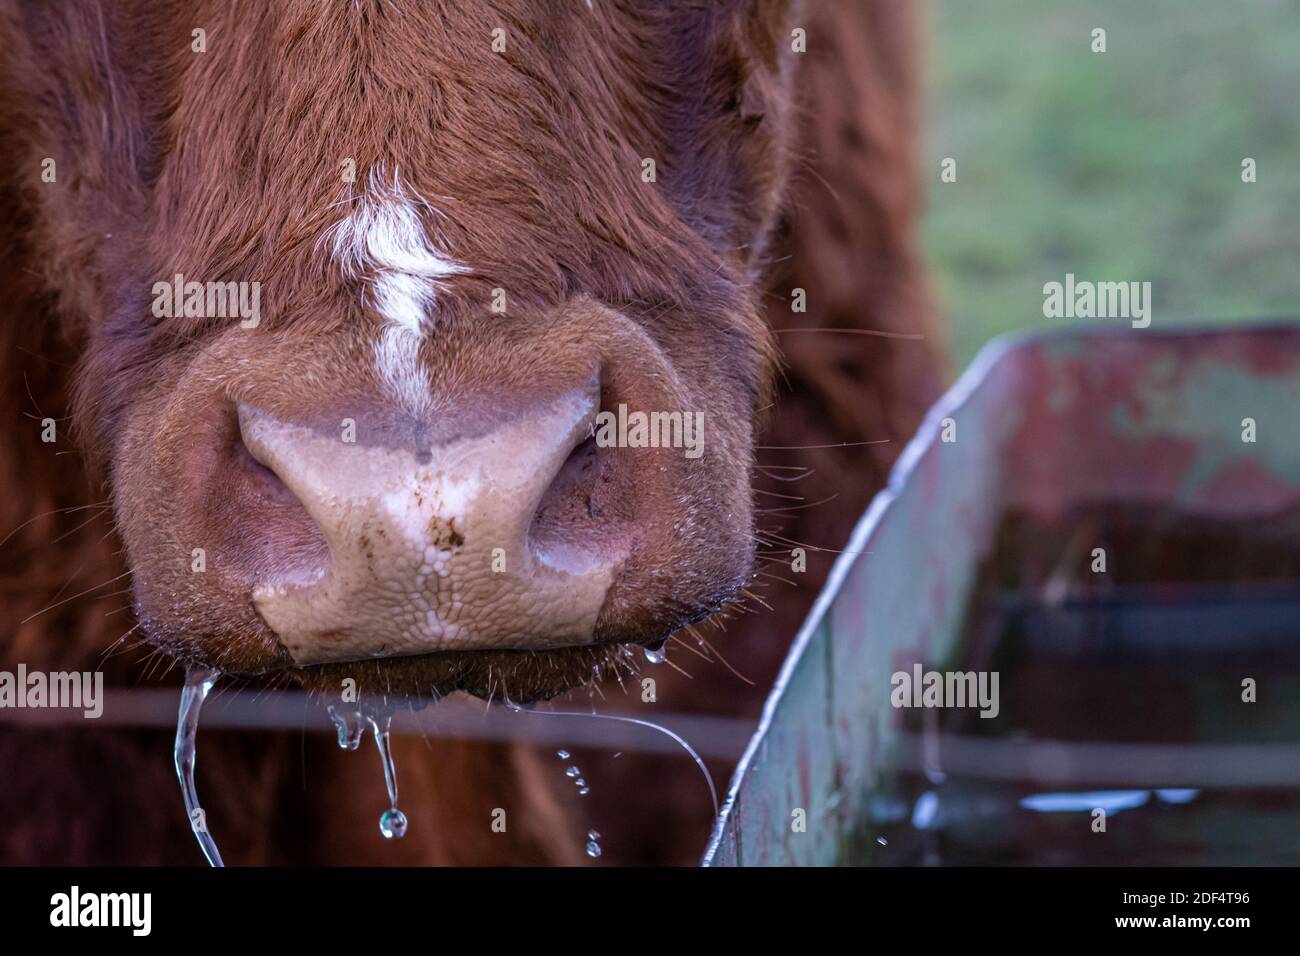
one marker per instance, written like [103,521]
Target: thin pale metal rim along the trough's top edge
[989,358]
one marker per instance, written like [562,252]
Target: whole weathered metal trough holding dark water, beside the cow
[1054,430]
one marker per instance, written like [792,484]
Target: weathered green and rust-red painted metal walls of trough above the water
[1038,423]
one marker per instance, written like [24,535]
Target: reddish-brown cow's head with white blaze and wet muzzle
[356,283]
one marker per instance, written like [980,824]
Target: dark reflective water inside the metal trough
[1150,713]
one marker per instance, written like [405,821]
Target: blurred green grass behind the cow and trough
[1117,166]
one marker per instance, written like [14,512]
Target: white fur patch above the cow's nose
[384,239]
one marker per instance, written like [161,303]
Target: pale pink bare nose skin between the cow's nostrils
[434,551]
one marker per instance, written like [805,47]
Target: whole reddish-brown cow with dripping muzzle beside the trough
[473,227]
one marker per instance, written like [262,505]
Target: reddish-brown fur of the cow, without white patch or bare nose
[224,166]
